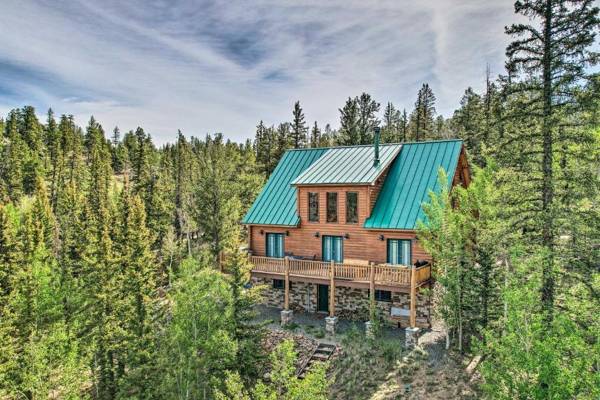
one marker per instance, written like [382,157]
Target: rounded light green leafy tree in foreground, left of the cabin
[199,343]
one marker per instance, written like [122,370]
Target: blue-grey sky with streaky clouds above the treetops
[222,66]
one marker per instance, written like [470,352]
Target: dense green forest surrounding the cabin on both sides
[112,283]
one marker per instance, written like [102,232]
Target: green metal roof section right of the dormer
[411,176]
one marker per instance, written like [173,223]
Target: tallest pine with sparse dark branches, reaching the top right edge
[552,60]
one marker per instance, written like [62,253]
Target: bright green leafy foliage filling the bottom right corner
[529,361]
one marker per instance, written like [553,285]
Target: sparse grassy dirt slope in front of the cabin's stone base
[382,368]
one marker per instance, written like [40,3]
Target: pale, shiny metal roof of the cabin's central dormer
[349,165]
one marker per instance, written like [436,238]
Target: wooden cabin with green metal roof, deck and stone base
[334,230]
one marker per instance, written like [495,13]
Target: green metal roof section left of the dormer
[276,203]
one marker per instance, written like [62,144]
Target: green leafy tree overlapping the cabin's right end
[460,233]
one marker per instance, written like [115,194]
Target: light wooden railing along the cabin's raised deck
[383,274]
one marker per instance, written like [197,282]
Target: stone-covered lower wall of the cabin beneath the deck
[350,303]
